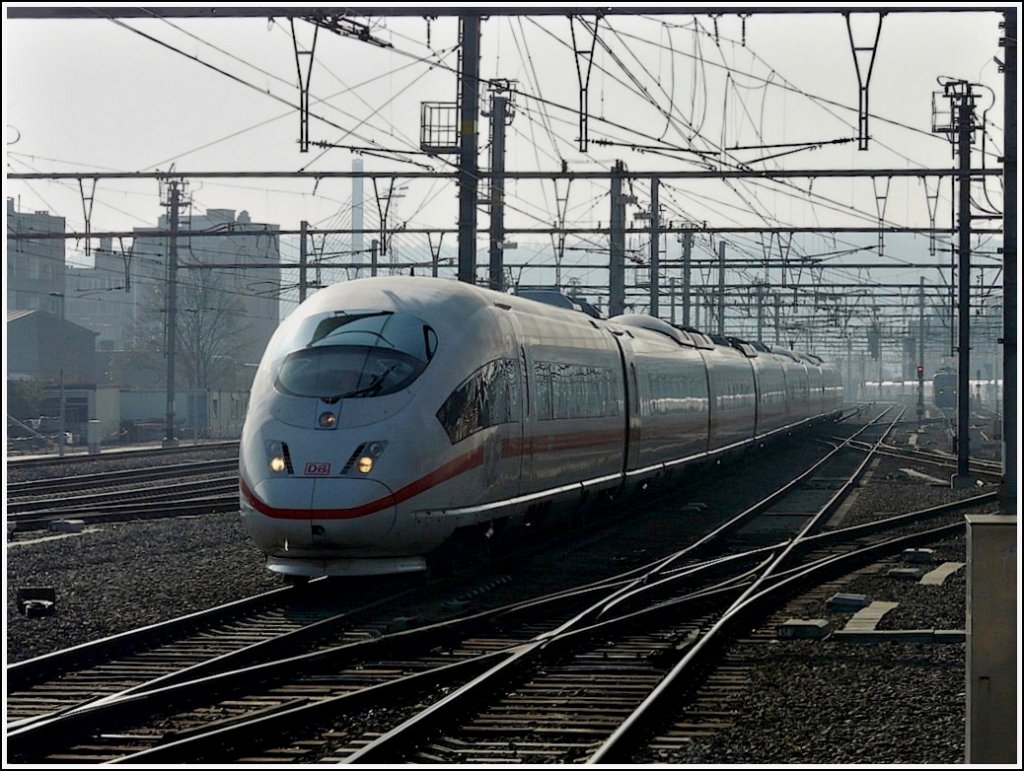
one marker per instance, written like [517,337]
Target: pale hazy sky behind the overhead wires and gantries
[220,96]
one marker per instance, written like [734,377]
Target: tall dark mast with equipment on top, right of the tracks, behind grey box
[963,106]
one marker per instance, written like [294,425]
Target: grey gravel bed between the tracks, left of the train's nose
[122,576]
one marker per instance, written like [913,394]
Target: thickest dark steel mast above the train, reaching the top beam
[470,25]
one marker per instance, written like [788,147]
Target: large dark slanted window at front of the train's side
[488,398]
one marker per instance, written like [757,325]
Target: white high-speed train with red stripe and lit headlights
[388,414]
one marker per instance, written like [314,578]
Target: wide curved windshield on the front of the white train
[340,356]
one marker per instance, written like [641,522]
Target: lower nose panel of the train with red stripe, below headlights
[294,518]
